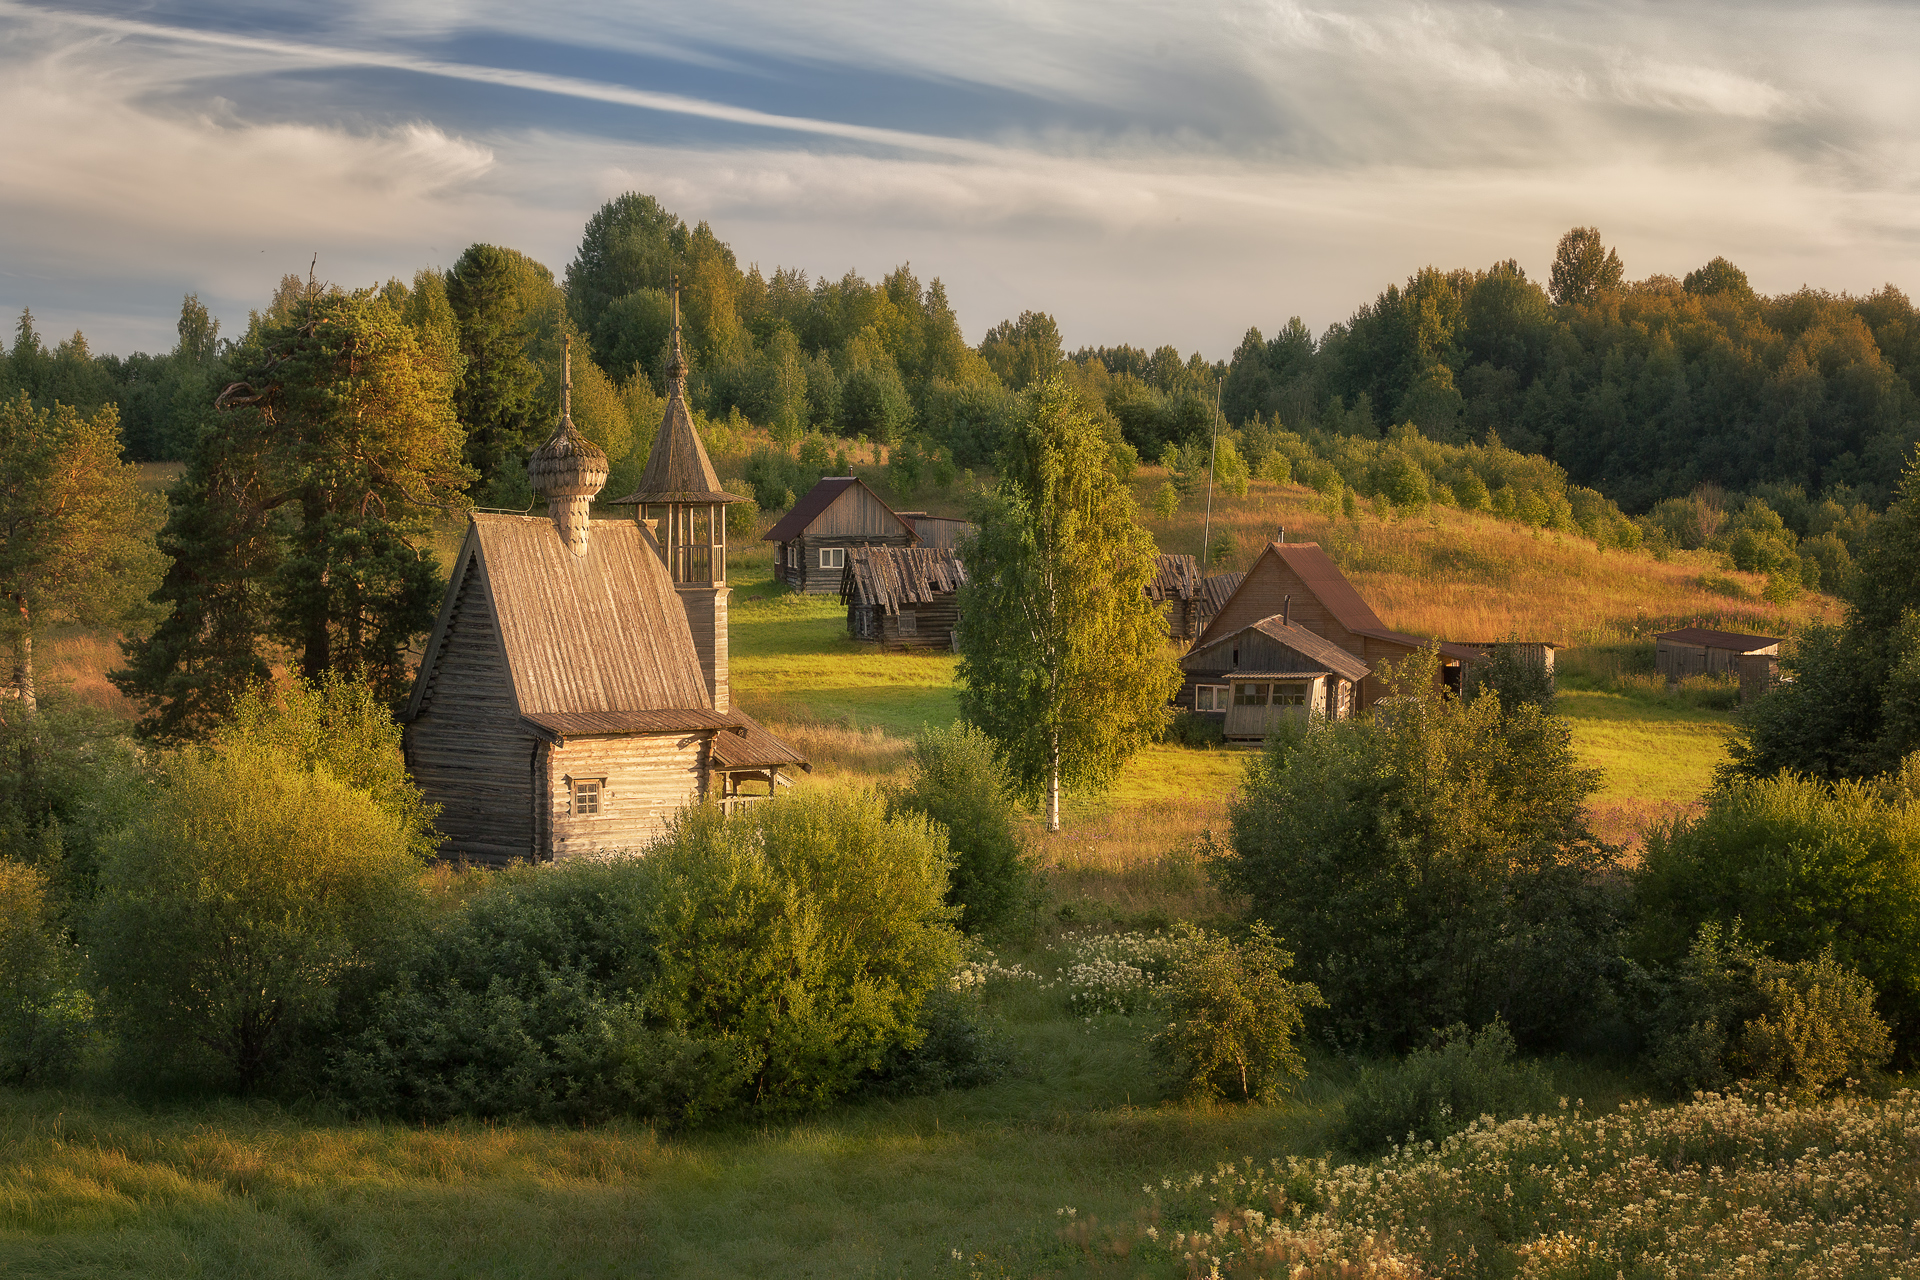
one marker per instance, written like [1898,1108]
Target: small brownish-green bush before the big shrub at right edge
[1733,1014]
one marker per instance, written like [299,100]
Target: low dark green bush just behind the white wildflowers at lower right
[1441,1089]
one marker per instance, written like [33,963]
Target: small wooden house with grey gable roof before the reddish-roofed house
[1268,673]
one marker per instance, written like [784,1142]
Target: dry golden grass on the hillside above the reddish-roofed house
[1477,579]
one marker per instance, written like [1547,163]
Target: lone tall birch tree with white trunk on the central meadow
[1065,661]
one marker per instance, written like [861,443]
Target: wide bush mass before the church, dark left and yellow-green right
[763,960]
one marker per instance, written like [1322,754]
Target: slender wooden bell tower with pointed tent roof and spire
[681,500]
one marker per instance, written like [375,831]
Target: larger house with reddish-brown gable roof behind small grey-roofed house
[1303,584]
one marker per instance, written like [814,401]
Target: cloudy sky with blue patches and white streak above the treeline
[1147,174]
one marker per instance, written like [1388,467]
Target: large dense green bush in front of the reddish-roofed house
[1431,865]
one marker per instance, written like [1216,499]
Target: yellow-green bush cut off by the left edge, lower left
[43,1014]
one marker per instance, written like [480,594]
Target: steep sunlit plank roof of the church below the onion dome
[587,634]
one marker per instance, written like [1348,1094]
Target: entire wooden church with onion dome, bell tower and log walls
[575,690]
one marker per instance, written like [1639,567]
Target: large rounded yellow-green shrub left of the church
[235,907]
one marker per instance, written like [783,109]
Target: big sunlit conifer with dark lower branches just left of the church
[304,515]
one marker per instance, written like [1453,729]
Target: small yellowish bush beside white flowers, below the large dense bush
[1234,1018]
